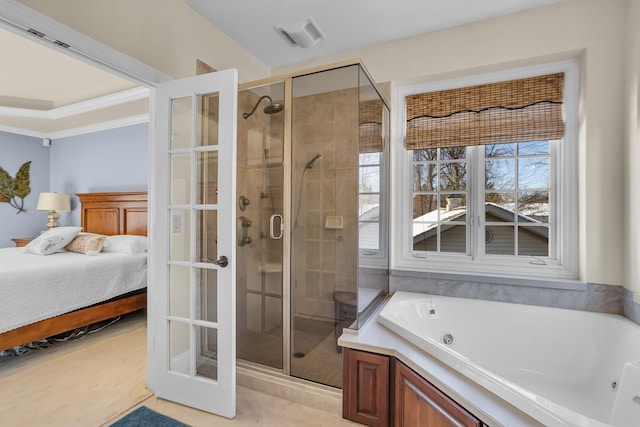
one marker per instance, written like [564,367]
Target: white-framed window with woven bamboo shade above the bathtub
[477,200]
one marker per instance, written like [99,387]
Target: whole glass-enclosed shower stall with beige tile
[312,253]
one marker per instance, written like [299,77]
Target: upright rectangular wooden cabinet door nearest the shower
[365,388]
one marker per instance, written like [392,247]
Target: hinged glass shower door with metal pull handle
[259,225]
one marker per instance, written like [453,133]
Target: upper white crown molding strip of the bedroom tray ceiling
[79,107]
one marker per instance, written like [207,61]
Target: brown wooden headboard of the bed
[114,212]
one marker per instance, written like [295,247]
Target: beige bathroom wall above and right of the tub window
[590,30]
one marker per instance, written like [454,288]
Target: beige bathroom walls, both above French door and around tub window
[595,31]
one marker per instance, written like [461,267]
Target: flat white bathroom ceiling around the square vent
[347,24]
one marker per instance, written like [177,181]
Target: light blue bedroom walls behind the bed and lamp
[111,160]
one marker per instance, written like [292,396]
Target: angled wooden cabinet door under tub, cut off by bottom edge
[418,403]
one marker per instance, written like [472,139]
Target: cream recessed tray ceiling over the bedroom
[45,92]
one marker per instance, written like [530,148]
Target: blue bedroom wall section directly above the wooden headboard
[111,160]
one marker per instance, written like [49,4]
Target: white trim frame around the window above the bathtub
[566,172]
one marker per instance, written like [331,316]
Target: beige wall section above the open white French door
[165,34]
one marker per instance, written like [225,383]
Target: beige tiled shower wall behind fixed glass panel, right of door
[324,259]
